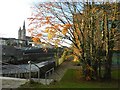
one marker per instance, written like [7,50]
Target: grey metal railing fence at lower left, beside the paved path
[27,73]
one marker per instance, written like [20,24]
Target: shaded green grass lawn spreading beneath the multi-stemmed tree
[72,79]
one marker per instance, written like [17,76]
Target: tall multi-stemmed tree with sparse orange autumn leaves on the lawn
[84,26]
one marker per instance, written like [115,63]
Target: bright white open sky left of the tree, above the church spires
[12,15]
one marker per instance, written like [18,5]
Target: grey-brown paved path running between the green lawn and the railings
[60,70]
